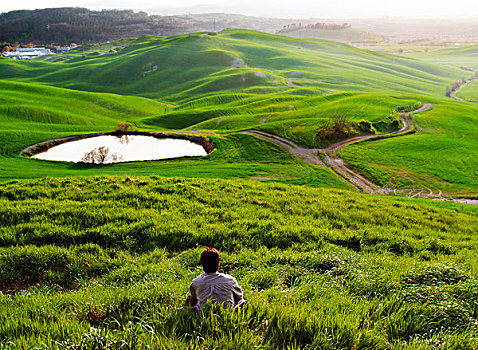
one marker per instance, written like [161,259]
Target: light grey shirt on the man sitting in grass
[219,287]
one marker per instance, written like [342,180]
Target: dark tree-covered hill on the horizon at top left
[66,25]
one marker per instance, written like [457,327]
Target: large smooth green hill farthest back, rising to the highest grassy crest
[189,65]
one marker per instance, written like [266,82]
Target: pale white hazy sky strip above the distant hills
[275,8]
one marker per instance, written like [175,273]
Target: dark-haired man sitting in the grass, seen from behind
[218,287]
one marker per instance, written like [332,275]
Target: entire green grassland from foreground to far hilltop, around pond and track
[101,256]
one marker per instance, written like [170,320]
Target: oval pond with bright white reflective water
[126,148]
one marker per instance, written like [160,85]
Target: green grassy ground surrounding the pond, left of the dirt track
[32,113]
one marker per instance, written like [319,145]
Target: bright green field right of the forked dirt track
[441,155]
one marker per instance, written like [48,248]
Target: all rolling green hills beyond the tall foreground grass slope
[239,80]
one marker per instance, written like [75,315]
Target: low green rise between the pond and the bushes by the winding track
[293,115]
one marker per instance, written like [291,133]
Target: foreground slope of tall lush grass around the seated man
[105,262]
